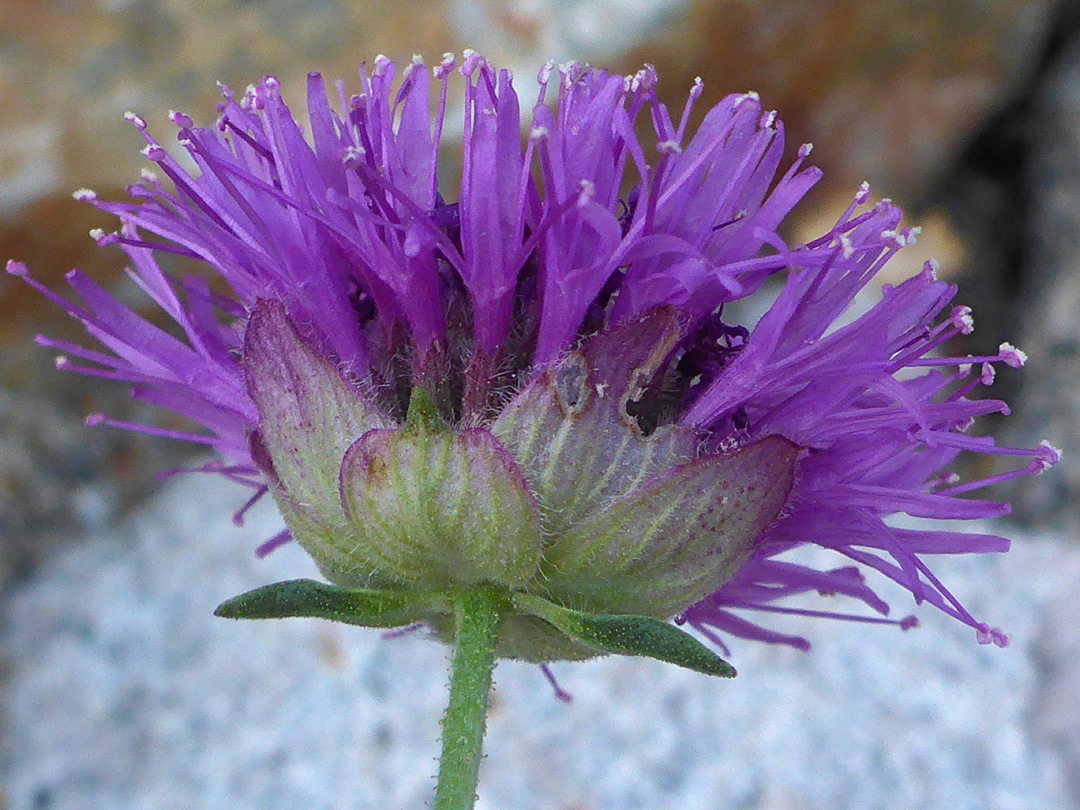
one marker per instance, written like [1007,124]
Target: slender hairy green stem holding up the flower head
[479,613]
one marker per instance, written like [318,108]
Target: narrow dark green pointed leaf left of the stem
[308,599]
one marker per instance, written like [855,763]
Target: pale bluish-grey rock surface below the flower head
[124,692]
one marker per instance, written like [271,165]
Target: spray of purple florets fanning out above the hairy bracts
[577,227]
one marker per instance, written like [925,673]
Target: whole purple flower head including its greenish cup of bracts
[532,379]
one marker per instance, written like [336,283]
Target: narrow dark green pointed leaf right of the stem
[629,636]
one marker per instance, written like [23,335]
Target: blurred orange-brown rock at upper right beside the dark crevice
[888,90]
